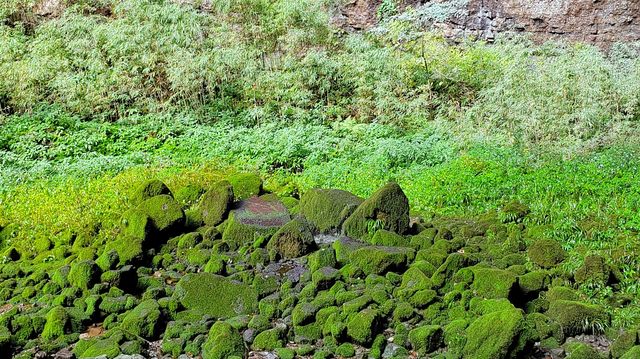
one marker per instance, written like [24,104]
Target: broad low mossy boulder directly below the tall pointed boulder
[379,260]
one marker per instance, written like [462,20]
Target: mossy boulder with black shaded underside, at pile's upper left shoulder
[166,214]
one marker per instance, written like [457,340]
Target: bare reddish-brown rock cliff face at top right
[599,22]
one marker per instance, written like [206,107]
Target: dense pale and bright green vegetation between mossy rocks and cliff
[107,94]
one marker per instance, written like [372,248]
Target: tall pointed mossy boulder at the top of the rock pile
[387,208]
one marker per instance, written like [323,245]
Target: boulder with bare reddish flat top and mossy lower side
[253,218]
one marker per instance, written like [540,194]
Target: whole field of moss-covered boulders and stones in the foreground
[232,272]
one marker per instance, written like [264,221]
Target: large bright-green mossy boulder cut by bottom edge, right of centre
[497,335]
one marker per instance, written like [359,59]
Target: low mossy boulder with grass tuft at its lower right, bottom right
[577,318]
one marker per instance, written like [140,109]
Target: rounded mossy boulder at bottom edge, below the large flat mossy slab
[223,342]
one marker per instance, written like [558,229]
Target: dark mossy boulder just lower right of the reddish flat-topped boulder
[293,240]
